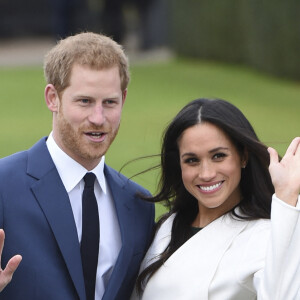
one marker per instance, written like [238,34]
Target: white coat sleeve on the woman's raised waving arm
[280,277]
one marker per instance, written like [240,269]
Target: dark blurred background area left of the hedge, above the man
[143,22]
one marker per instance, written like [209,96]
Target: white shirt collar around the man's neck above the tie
[70,171]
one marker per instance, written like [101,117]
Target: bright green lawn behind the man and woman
[156,93]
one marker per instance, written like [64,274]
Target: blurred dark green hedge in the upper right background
[263,34]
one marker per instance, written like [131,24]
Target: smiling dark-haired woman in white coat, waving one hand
[217,241]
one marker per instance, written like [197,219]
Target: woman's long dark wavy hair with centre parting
[256,186]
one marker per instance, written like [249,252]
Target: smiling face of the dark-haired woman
[211,168]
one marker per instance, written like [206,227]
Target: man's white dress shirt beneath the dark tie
[71,174]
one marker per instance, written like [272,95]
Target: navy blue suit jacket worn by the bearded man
[37,217]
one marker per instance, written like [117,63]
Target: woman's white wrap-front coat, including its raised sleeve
[231,259]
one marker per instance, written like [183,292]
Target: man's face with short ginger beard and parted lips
[88,113]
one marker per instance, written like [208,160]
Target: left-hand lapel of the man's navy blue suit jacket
[54,202]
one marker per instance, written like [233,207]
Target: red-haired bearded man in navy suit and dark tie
[42,190]
